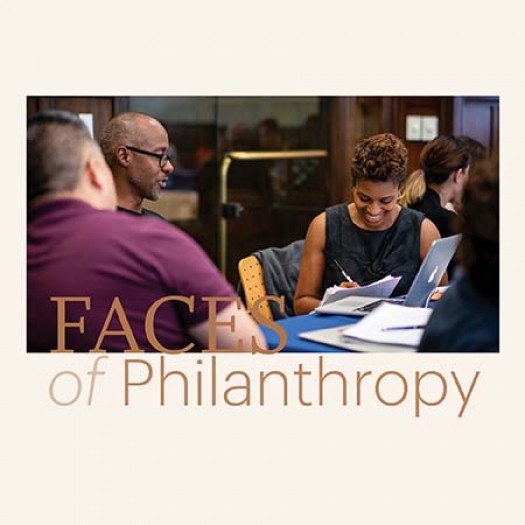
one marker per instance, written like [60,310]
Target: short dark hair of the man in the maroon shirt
[55,152]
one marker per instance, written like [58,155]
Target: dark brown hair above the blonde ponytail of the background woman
[442,156]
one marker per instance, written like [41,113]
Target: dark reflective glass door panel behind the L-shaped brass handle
[279,197]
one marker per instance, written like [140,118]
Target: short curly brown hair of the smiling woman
[380,158]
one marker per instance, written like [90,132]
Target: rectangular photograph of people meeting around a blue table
[371,213]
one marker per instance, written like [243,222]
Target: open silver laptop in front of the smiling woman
[430,273]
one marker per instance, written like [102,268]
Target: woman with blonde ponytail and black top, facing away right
[445,163]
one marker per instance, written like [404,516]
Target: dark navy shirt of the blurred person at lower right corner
[463,320]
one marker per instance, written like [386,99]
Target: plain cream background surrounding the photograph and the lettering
[107,463]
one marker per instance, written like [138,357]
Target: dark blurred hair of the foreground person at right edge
[479,249]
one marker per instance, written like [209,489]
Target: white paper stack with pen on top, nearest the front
[376,326]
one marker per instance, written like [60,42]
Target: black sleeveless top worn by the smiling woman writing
[371,255]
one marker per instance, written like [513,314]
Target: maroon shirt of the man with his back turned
[74,250]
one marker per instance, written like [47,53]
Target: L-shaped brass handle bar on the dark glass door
[223,188]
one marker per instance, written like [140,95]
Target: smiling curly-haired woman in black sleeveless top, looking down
[369,238]
